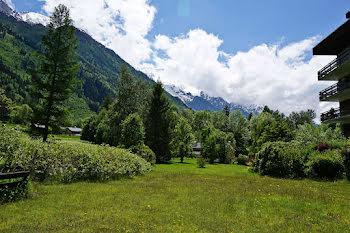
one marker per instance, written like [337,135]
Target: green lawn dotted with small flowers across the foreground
[183,198]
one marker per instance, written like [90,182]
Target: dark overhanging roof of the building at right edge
[335,42]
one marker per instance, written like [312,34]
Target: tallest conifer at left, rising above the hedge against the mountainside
[53,79]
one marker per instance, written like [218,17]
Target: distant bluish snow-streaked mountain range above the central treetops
[206,102]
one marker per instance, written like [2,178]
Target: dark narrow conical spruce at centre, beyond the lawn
[158,135]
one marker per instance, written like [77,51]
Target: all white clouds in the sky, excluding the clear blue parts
[283,77]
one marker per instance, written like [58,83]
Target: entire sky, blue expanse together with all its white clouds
[246,51]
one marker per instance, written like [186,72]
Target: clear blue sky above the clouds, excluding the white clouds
[241,23]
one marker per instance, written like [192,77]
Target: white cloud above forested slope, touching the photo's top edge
[121,25]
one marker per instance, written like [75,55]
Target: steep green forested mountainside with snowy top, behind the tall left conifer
[20,39]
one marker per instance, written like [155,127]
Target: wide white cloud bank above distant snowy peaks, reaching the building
[282,77]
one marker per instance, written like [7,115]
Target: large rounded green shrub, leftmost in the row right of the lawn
[280,159]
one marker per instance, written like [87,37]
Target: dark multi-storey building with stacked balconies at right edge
[337,43]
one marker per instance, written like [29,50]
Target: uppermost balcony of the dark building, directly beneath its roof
[336,69]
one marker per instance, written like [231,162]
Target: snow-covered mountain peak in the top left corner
[29,17]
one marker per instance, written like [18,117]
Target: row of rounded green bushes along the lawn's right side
[285,160]
